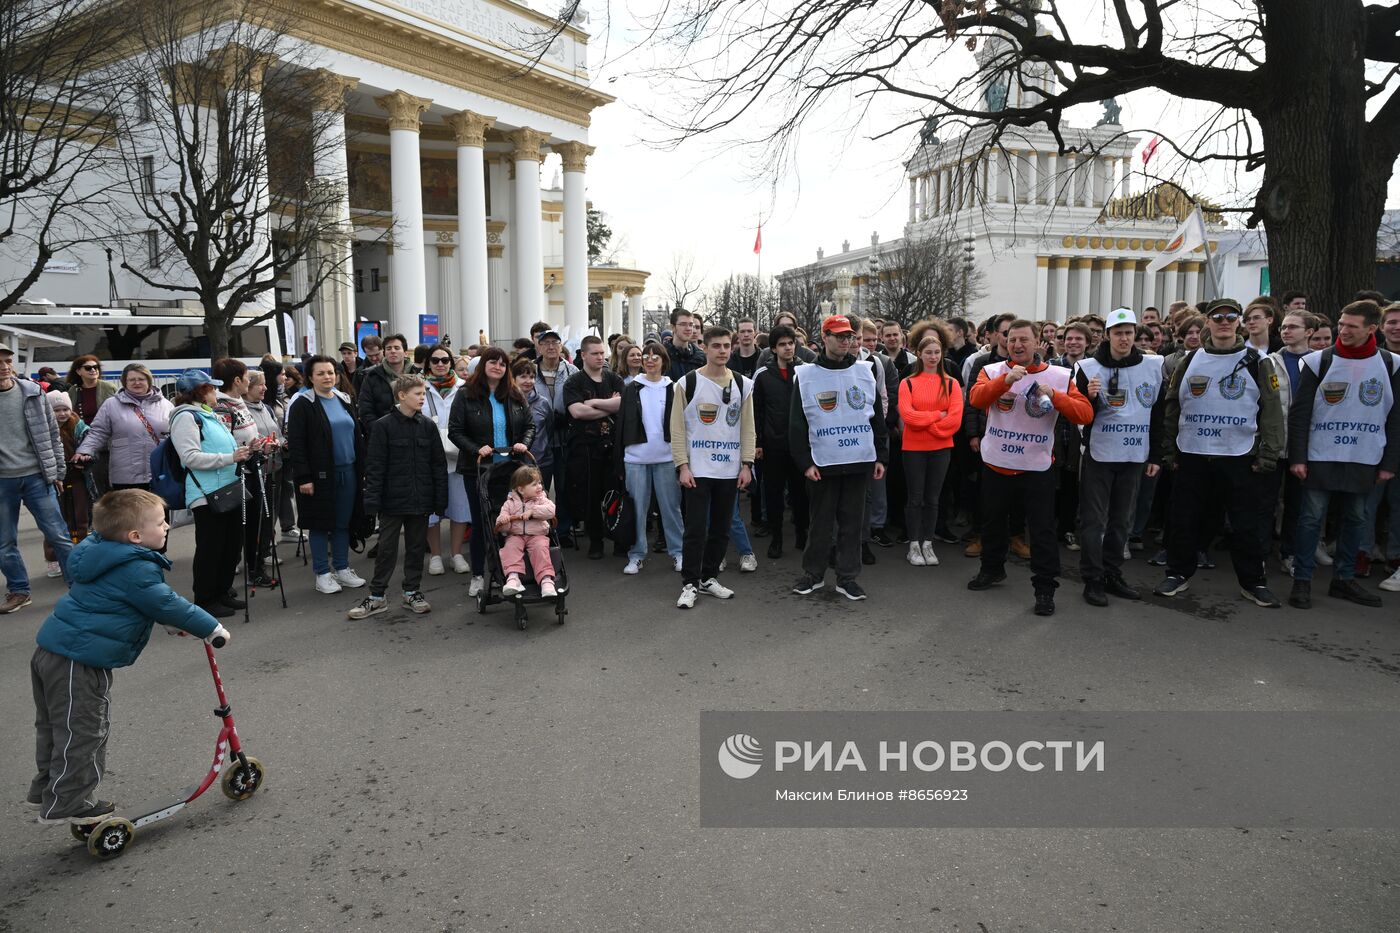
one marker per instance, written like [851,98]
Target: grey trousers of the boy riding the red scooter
[72,719]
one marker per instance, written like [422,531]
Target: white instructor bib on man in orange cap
[839,407]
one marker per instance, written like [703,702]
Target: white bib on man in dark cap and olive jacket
[1220,406]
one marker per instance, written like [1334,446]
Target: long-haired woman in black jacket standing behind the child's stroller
[488,414]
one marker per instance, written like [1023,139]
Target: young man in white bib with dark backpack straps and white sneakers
[712,446]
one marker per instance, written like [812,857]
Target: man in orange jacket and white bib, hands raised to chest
[1024,399]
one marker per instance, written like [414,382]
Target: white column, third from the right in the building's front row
[472,317]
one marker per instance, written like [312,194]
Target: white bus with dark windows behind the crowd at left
[169,344]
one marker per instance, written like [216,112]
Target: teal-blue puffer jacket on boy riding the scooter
[118,595]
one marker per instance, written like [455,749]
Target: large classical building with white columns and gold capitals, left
[444,131]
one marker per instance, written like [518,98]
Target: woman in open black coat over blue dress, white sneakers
[325,455]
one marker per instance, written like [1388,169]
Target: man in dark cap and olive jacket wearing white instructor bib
[1223,434]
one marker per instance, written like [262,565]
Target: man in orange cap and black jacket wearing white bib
[839,439]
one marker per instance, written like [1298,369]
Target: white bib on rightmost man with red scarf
[1350,410]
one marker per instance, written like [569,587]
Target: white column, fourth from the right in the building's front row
[408,270]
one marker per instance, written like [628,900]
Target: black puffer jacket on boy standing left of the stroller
[405,467]
